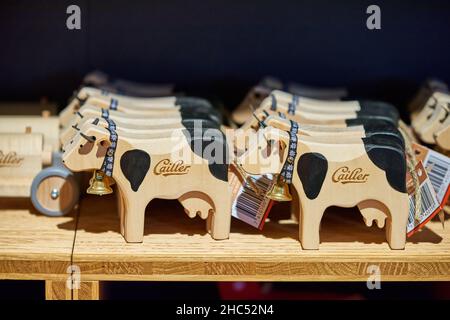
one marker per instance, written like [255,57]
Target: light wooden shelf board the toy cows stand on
[177,248]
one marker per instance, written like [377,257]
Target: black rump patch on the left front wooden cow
[211,145]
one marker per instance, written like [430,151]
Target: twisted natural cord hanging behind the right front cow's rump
[411,162]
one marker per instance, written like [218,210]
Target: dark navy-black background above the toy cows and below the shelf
[220,49]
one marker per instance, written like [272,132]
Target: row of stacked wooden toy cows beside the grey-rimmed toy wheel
[165,147]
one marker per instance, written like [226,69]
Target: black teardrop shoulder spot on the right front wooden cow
[312,168]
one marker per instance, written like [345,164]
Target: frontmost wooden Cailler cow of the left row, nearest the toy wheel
[167,168]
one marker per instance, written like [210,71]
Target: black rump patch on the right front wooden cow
[389,156]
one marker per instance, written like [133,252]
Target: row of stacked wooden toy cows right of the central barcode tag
[331,153]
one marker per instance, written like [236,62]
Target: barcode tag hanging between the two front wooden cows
[250,207]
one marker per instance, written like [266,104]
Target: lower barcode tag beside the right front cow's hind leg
[429,205]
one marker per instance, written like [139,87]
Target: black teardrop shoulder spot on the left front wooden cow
[135,164]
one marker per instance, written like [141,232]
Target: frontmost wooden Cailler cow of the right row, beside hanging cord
[324,173]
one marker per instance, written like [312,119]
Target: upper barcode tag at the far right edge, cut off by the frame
[438,167]
